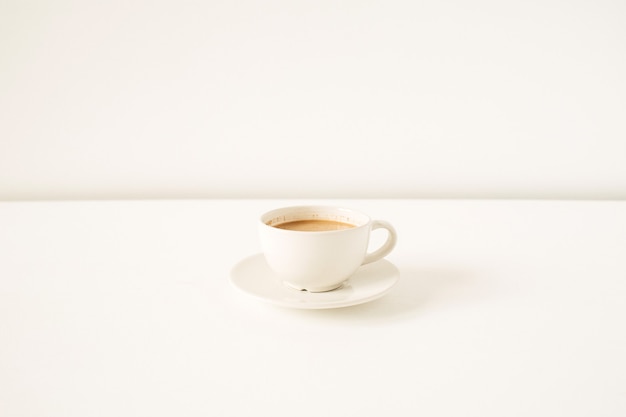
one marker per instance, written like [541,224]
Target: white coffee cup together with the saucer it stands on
[315,257]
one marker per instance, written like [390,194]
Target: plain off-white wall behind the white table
[312,98]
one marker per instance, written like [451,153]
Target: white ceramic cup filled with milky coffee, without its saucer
[319,261]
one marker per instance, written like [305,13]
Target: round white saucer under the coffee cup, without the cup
[253,277]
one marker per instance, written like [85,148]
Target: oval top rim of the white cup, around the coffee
[363,219]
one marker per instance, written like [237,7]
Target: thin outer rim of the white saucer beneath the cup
[314,306]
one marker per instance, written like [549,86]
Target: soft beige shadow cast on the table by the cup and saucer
[419,291]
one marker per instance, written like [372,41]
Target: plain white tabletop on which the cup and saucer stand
[504,308]
